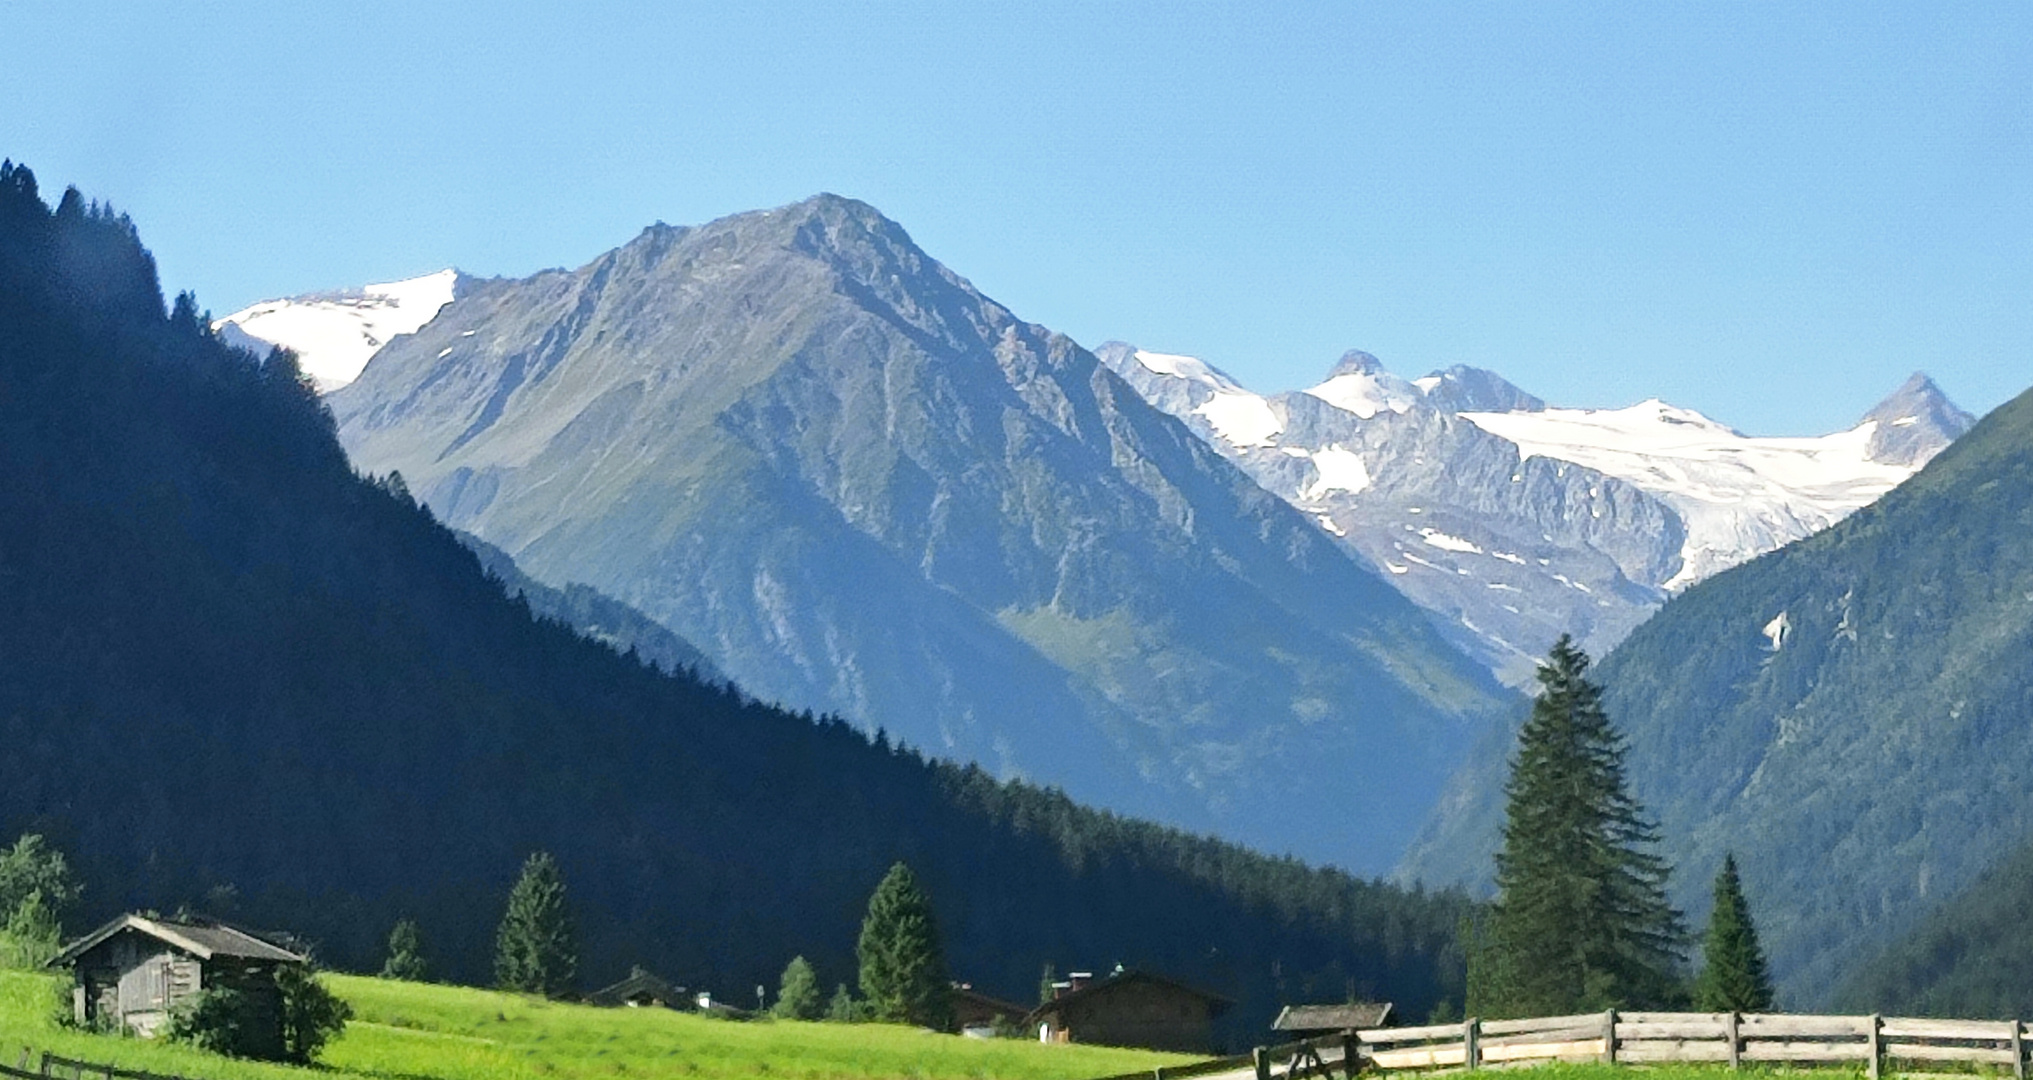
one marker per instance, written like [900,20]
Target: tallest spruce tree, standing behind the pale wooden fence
[1581,918]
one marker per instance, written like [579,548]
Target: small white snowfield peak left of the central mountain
[336,335]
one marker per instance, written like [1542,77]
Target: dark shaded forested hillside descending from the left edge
[239,676]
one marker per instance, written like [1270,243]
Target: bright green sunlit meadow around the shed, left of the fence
[418,1032]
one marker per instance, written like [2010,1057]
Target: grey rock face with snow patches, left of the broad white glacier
[1505,552]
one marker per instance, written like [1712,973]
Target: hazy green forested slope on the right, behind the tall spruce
[1851,715]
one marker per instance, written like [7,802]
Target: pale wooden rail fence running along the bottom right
[1877,1044]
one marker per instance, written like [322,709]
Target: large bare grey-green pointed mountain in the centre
[861,487]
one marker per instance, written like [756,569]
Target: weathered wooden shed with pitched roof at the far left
[133,971]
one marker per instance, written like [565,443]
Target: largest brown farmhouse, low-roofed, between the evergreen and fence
[1131,1010]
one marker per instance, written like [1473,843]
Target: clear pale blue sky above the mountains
[1770,213]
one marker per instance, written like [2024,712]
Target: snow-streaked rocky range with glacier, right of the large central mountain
[1516,524]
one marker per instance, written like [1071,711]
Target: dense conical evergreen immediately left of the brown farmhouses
[904,963]
